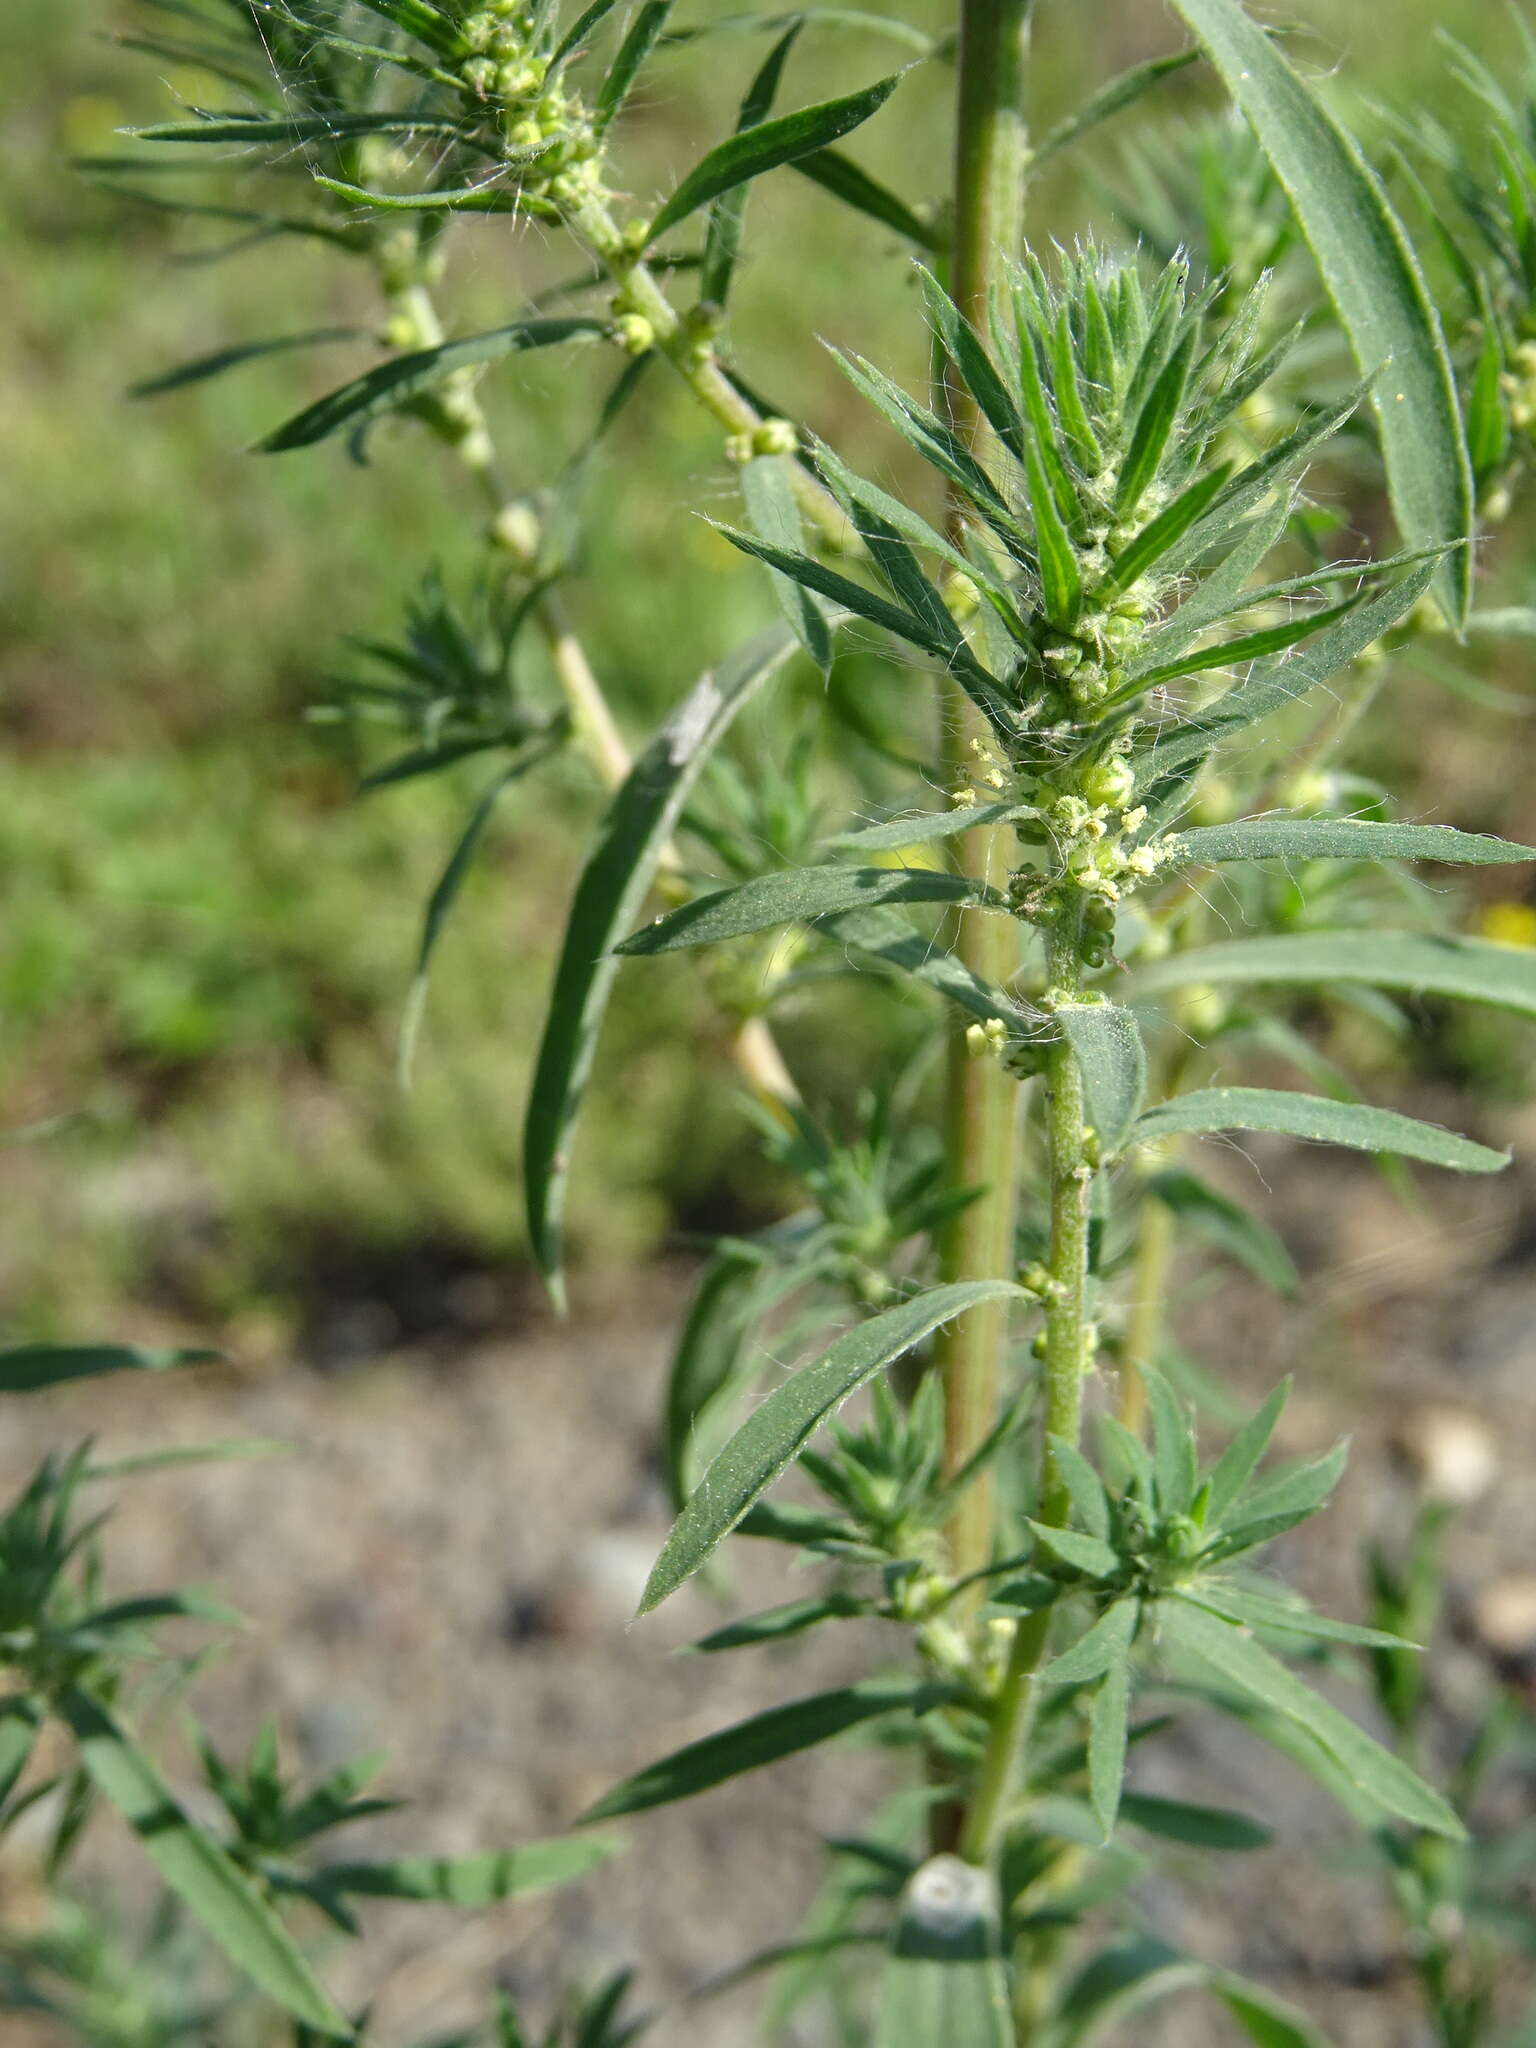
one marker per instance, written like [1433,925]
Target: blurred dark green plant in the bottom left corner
[245,1863]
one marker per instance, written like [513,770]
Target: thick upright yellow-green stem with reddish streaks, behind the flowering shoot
[990,159]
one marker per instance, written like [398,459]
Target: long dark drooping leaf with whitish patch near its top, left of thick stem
[607,902]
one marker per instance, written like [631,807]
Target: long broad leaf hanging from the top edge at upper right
[1373,280]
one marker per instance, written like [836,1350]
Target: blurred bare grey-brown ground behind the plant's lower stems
[445,1566]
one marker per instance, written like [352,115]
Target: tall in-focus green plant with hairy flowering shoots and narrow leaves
[1103,517]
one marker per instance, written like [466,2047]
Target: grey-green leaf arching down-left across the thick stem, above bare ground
[790,1416]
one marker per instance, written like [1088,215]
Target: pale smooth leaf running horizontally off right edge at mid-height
[1424,964]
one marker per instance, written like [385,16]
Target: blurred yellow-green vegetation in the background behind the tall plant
[208,933]
